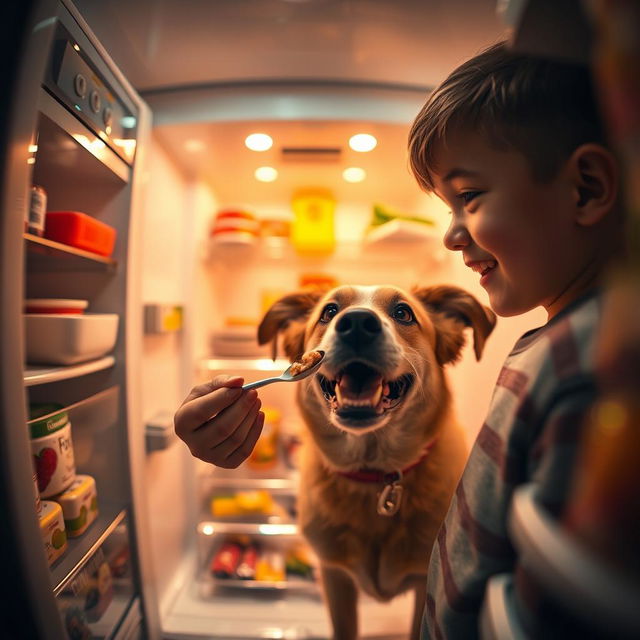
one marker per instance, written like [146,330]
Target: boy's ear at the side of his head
[595,176]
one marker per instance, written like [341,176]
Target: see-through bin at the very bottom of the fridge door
[97,594]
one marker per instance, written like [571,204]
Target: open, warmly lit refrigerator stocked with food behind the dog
[150,171]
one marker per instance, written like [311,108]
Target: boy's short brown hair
[542,108]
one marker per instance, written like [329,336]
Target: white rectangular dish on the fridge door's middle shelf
[67,339]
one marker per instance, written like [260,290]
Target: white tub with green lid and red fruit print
[52,448]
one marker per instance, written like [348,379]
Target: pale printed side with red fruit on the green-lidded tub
[54,461]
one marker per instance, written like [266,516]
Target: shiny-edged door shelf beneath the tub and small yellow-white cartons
[80,549]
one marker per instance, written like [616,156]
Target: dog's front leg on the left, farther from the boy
[341,595]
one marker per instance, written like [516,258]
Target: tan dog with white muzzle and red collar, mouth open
[383,453]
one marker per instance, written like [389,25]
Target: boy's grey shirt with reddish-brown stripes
[537,414]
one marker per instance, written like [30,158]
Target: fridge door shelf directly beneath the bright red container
[50,255]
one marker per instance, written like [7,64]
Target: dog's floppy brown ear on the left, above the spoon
[288,315]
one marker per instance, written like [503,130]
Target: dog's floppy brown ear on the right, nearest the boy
[452,309]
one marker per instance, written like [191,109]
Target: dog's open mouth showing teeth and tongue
[359,393]
